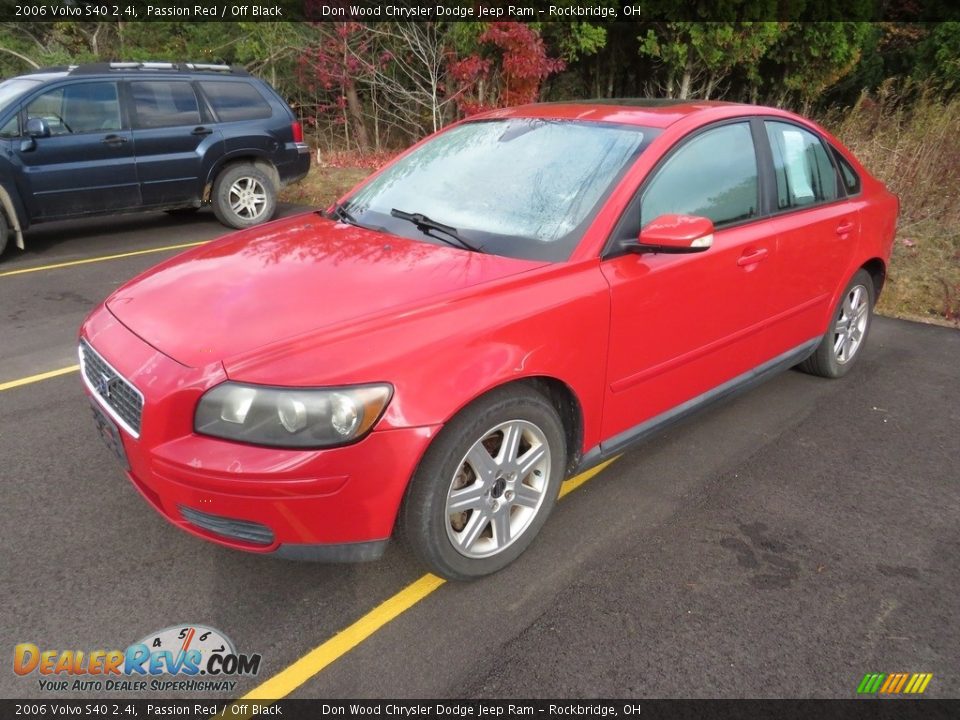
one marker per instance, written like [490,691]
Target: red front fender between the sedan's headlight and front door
[551,322]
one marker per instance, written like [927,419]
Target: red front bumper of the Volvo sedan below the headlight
[336,504]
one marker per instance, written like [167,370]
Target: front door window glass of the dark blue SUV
[78,108]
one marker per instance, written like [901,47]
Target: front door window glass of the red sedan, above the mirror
[713,176]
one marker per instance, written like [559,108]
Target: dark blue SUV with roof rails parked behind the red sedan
[123,137]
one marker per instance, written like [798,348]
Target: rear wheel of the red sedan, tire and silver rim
[827,361]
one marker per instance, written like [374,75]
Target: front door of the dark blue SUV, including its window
[87,164]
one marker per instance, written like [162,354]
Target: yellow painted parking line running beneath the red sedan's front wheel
[302,670]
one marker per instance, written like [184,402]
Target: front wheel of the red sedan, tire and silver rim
[505,496]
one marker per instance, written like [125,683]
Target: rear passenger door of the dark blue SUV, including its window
[173,135]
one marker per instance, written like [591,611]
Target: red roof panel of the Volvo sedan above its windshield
[646,112]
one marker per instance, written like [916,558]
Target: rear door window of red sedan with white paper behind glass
[805,175]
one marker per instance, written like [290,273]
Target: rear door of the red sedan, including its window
[817,230]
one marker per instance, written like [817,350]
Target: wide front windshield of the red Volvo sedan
[520,187]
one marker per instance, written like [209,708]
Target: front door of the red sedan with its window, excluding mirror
[682,325]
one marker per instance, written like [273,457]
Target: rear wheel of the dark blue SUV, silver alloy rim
[244,196]
